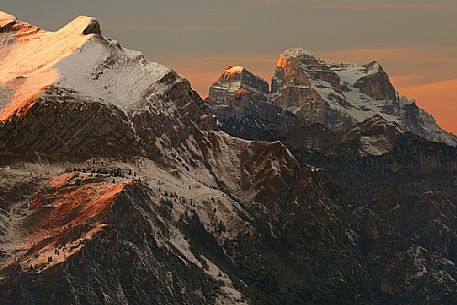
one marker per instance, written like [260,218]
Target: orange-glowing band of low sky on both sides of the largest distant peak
[427,75]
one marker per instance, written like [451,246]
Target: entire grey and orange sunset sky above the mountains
[411,39]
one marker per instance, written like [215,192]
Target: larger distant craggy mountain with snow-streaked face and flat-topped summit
[341,95]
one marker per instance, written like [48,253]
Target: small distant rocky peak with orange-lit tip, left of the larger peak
[236,81]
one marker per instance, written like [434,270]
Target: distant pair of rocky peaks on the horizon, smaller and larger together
[337,96]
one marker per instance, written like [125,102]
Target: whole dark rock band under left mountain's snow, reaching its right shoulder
[66,125]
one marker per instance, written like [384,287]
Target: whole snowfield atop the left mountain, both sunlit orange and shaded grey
[75,57]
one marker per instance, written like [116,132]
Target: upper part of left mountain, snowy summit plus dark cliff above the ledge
[112,96]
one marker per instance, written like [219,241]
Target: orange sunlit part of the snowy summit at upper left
[30,56]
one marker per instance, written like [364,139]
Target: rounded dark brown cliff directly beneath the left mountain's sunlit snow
[67,128]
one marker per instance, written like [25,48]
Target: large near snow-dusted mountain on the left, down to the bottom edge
[110,134]
